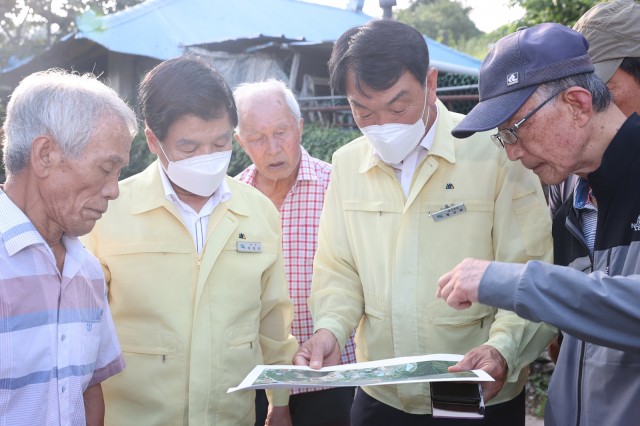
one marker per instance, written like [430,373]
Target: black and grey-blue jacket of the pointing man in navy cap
[597,379]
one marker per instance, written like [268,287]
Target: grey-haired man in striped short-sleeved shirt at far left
[66,137]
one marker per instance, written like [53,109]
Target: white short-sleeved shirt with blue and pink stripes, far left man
[56,333]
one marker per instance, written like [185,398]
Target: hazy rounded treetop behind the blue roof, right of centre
[445,21]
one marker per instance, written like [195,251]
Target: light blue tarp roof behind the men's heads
[162,29]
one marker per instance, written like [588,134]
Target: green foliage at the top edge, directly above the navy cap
[565,12]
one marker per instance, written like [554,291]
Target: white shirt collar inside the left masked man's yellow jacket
[195,222]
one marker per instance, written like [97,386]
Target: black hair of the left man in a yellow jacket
[187,85]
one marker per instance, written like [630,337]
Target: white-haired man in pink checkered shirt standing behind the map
[270,132]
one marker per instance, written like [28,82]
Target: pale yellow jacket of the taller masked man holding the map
[380,255]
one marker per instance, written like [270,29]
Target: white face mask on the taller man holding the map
[393,142]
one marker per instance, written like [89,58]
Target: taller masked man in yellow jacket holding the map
[407,202]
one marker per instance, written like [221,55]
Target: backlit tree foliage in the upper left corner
[28,27]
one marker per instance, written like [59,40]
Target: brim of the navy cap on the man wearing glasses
[490,113]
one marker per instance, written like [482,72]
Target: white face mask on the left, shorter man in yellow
[201,175]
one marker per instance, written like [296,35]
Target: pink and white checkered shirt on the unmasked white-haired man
[300,215]
